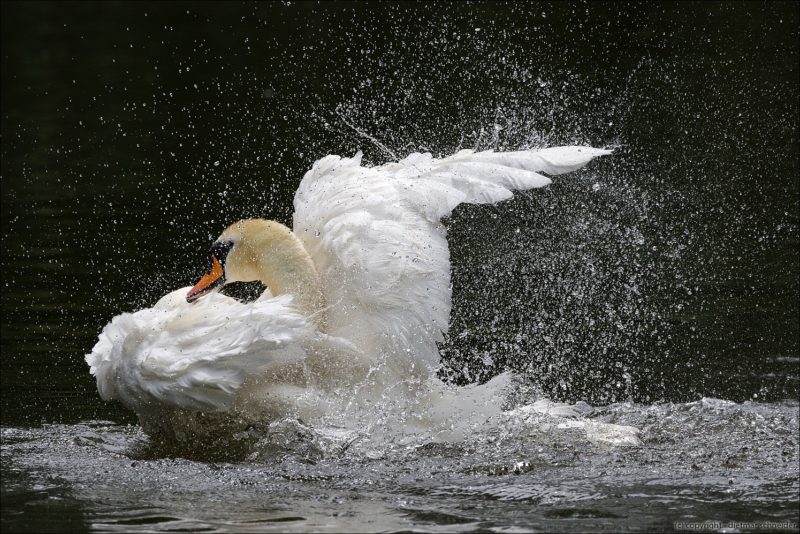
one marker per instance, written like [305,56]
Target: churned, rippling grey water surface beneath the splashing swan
[537,466]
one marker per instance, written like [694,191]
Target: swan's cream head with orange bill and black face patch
[234,256]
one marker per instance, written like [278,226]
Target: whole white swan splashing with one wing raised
[358,296]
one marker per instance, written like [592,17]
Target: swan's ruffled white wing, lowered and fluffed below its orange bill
[193,356]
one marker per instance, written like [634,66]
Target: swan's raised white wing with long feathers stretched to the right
[375,236]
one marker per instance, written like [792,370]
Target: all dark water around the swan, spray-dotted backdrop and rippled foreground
[651,285]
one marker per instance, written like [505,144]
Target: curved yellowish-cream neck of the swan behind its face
[276,257]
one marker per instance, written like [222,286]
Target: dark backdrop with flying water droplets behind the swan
[133,133]
